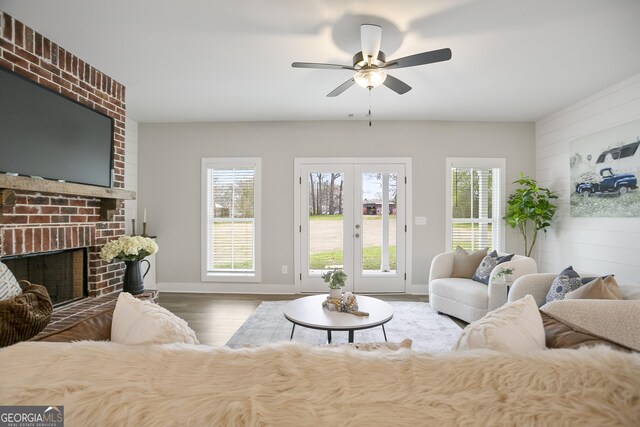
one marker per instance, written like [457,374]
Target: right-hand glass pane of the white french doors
[378,222]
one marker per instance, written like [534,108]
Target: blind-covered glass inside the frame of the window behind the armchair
[475,208]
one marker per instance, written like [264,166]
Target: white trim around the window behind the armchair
[475,162]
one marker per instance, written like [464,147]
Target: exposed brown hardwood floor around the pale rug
[216,317]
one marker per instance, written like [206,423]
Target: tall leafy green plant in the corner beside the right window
[530,210]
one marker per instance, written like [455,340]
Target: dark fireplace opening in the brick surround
[63,273]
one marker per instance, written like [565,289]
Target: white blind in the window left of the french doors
[231,219]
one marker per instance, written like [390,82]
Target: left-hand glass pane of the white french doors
[326,229]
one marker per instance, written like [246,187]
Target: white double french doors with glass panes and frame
[352,217]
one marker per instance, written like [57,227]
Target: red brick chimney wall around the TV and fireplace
[40,222]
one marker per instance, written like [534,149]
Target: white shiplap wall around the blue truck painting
[597,245]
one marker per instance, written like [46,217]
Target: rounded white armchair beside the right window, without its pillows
[467,299]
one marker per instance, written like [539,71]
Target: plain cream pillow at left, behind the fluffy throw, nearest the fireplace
[137,321]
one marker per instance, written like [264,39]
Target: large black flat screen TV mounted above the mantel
[46,135]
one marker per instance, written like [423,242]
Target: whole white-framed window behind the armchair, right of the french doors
[475,198]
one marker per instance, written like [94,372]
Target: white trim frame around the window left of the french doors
[228,162]
